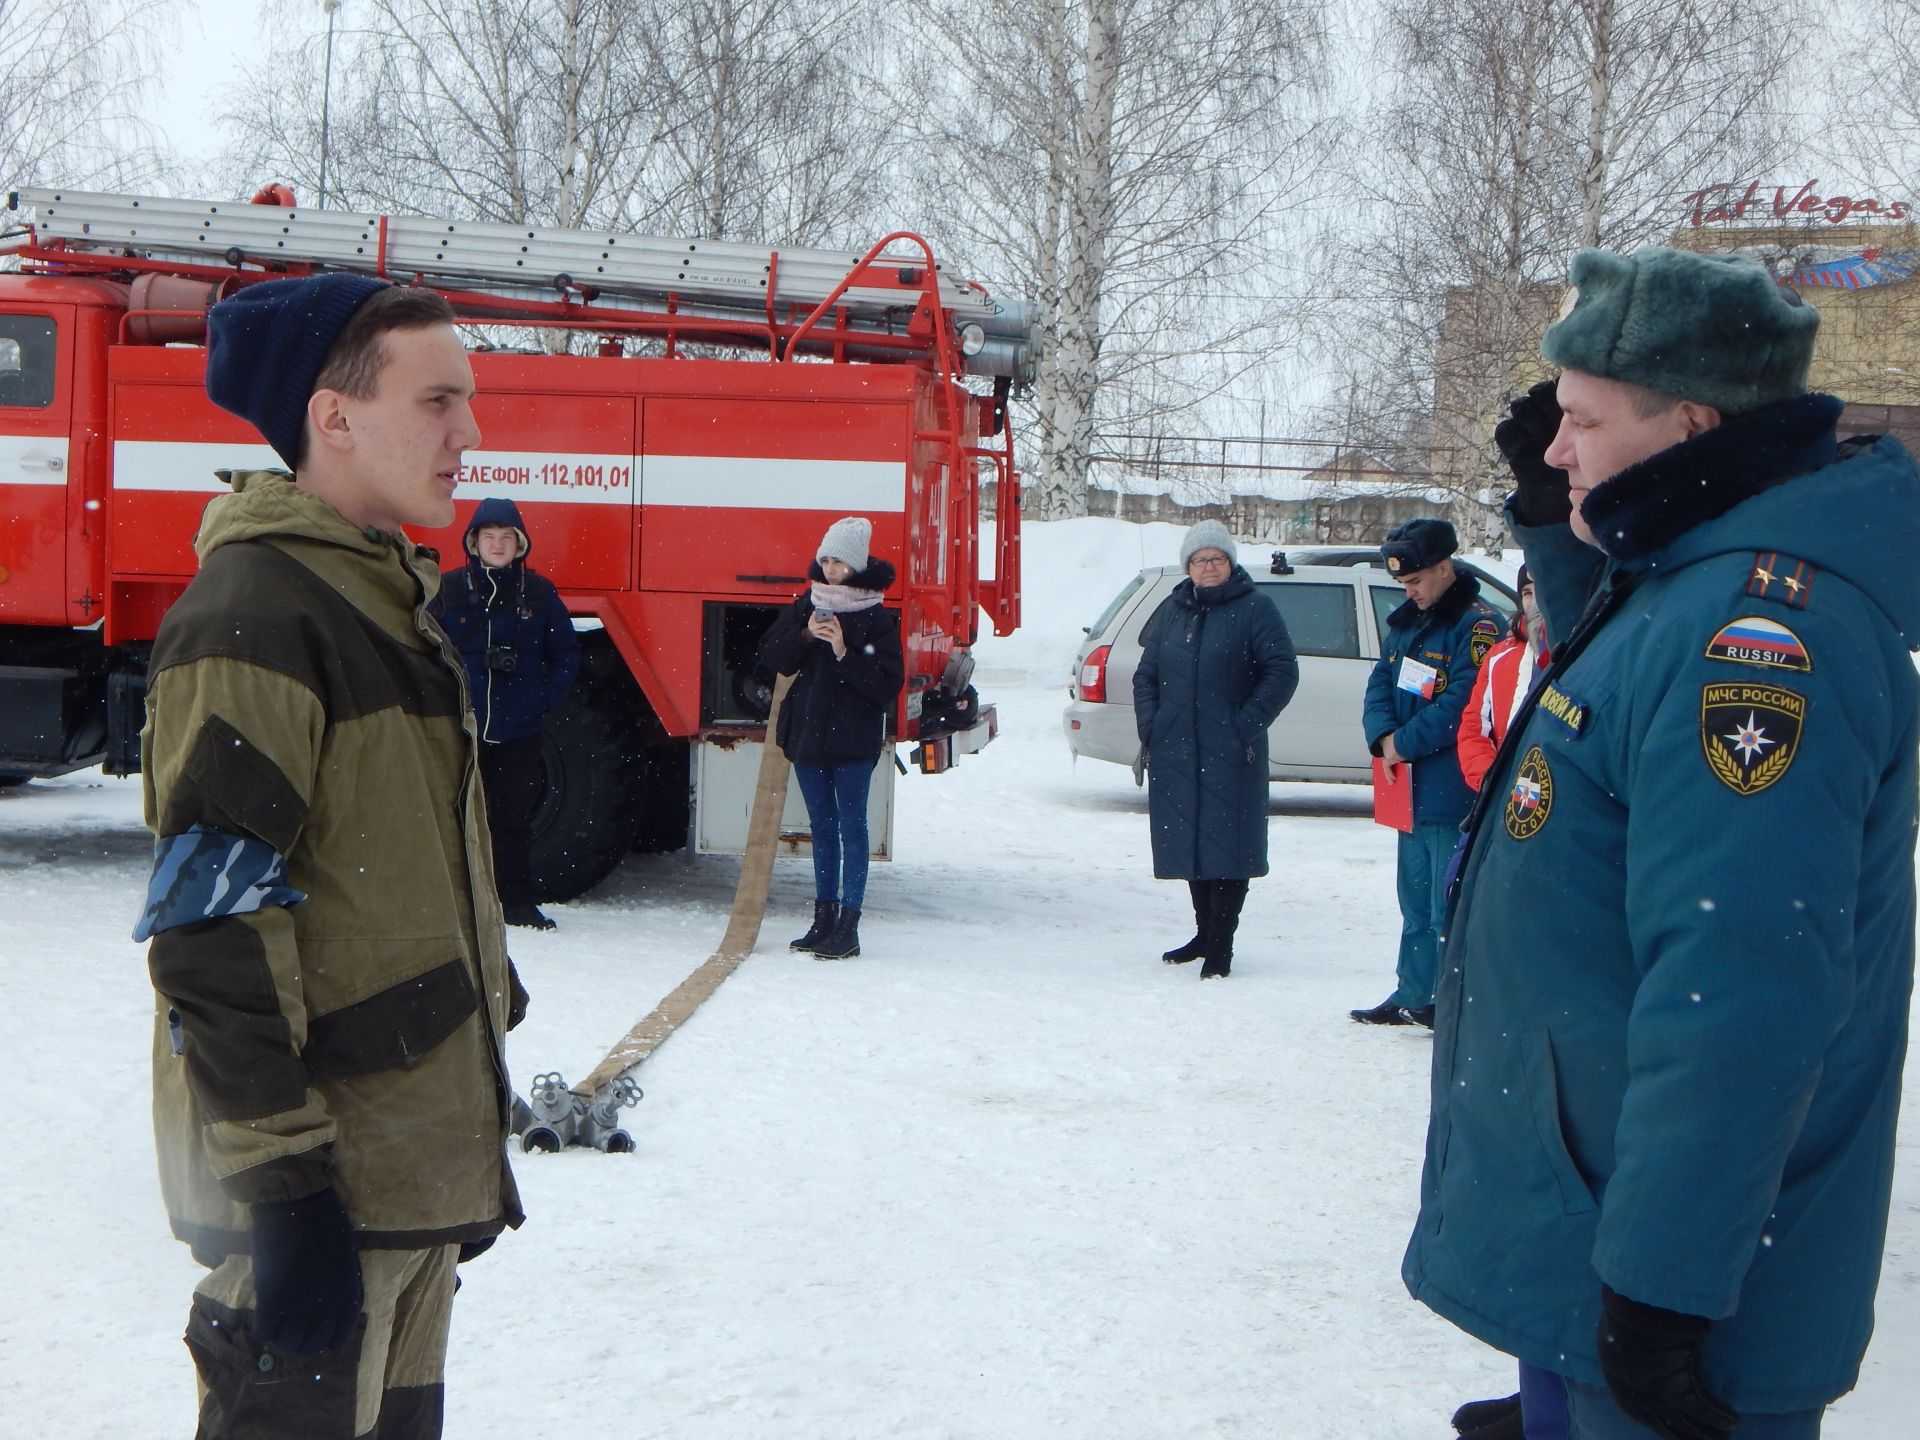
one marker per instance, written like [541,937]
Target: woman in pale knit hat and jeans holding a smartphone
[844,650]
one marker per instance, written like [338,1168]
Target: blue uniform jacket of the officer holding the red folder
[1449,640]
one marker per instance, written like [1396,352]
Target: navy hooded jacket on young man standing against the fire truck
[508,615]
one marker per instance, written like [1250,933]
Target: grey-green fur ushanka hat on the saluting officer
[1712,329]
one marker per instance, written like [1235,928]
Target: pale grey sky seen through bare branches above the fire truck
[1236,216]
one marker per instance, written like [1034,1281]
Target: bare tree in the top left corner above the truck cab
[72,80]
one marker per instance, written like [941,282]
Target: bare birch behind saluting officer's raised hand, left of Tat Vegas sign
[1516,133]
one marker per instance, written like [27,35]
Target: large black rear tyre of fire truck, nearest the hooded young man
[596,798]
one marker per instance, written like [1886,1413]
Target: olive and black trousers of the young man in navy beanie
[385,1383]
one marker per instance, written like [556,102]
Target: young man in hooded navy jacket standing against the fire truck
[521,656]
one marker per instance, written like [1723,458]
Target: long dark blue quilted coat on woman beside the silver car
[1216,669]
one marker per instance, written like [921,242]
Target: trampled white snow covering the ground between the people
[1003,1178]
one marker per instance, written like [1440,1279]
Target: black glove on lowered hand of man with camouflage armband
[306,1276]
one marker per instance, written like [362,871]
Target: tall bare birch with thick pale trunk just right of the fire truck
[1124,164]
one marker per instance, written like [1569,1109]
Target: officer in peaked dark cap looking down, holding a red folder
[1416,696]
